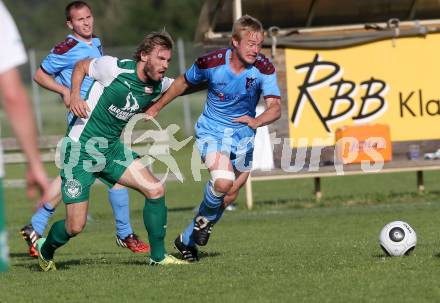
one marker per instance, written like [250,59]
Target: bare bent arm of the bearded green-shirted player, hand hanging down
[77,105]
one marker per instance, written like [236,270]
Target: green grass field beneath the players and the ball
[288,249]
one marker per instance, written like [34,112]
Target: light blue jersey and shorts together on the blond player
[230,96]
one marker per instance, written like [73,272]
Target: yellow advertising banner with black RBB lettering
[396,83]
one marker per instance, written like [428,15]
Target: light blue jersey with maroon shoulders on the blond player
[230,95]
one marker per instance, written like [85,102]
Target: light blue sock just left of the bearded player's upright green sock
[118,199]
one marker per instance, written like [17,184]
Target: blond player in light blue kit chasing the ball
[225,131]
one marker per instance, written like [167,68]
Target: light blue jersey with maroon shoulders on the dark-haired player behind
[62,59]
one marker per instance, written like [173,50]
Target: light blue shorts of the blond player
[237,142]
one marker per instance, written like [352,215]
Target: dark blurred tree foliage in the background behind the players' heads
[117,22]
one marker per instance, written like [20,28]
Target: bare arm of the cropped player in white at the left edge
[17,106]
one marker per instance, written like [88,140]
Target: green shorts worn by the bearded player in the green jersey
[81,168]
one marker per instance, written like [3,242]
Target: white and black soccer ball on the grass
[397,239]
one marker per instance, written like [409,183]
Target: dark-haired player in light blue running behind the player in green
[55,74]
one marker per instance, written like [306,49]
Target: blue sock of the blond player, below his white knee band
[211,208]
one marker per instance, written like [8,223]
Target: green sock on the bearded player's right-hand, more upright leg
[155,221]
